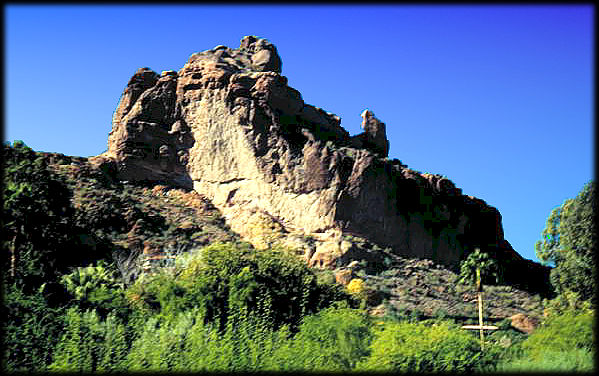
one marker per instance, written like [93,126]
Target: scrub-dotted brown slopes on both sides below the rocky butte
[133,223]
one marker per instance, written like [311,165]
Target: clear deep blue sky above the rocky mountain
[497,98]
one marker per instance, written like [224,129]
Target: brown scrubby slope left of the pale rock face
[136,224]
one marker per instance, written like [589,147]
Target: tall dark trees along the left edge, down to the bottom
[35,233]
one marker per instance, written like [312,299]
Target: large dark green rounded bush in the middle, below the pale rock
[223,278]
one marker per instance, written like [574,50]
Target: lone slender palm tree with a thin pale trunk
[472,270]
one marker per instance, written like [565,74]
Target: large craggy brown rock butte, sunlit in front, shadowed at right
[285,172]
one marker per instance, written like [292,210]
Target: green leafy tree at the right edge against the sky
[568,242]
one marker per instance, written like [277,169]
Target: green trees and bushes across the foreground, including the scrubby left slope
[76,299]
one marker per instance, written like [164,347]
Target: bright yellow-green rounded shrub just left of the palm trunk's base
[416,347]
